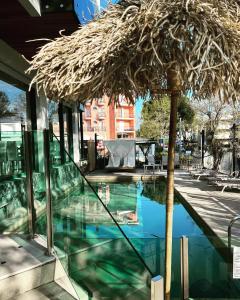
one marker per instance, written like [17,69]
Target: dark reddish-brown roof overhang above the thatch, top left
[17,26]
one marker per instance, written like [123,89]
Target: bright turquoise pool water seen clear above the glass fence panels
[142,207]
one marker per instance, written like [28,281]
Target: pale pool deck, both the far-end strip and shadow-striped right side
[206,203]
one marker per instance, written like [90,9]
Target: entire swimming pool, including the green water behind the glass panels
[101,261]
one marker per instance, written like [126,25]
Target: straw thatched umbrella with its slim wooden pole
[142,47]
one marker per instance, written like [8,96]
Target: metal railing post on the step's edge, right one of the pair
[48,192]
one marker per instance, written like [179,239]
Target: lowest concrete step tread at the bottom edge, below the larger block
[48,291]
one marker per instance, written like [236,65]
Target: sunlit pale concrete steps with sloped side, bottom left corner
[25,269]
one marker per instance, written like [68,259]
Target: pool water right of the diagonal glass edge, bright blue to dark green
[209,270]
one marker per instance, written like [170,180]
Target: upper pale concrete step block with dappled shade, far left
[24,266]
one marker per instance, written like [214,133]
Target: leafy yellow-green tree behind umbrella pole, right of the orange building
[156,115]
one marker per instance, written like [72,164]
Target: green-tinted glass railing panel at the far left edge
[13,197]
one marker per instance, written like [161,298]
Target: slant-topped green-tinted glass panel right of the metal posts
[100,260]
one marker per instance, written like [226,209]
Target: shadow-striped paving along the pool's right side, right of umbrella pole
[206,201]
